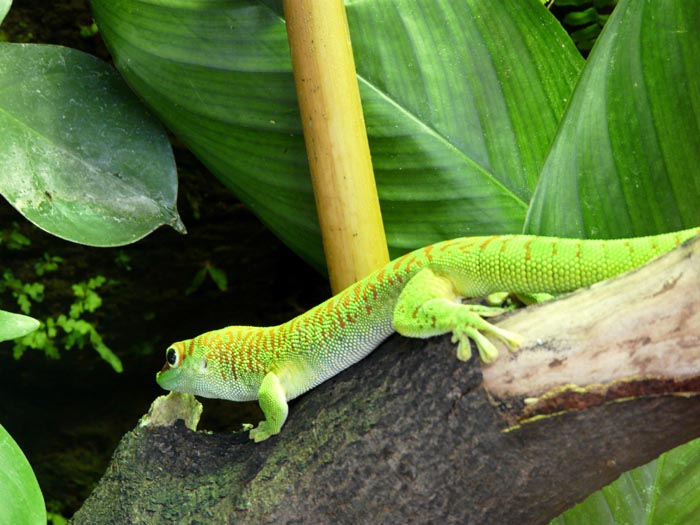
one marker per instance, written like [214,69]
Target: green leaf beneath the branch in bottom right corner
[663,492]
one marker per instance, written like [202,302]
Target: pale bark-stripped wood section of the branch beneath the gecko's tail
[632,336]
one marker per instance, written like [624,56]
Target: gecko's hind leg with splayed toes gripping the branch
[429,305]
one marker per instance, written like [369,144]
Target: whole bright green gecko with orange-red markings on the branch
[417,295]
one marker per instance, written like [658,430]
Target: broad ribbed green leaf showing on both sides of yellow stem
[461,101]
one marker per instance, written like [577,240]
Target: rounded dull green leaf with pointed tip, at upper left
[79,155]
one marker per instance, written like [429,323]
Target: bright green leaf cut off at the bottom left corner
[22,502]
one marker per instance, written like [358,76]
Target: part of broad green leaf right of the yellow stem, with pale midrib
[448,105]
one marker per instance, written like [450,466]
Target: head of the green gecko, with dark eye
[184,371]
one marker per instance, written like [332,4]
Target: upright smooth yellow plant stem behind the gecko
[336,139]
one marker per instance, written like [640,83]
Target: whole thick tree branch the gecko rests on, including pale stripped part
[411,435]
